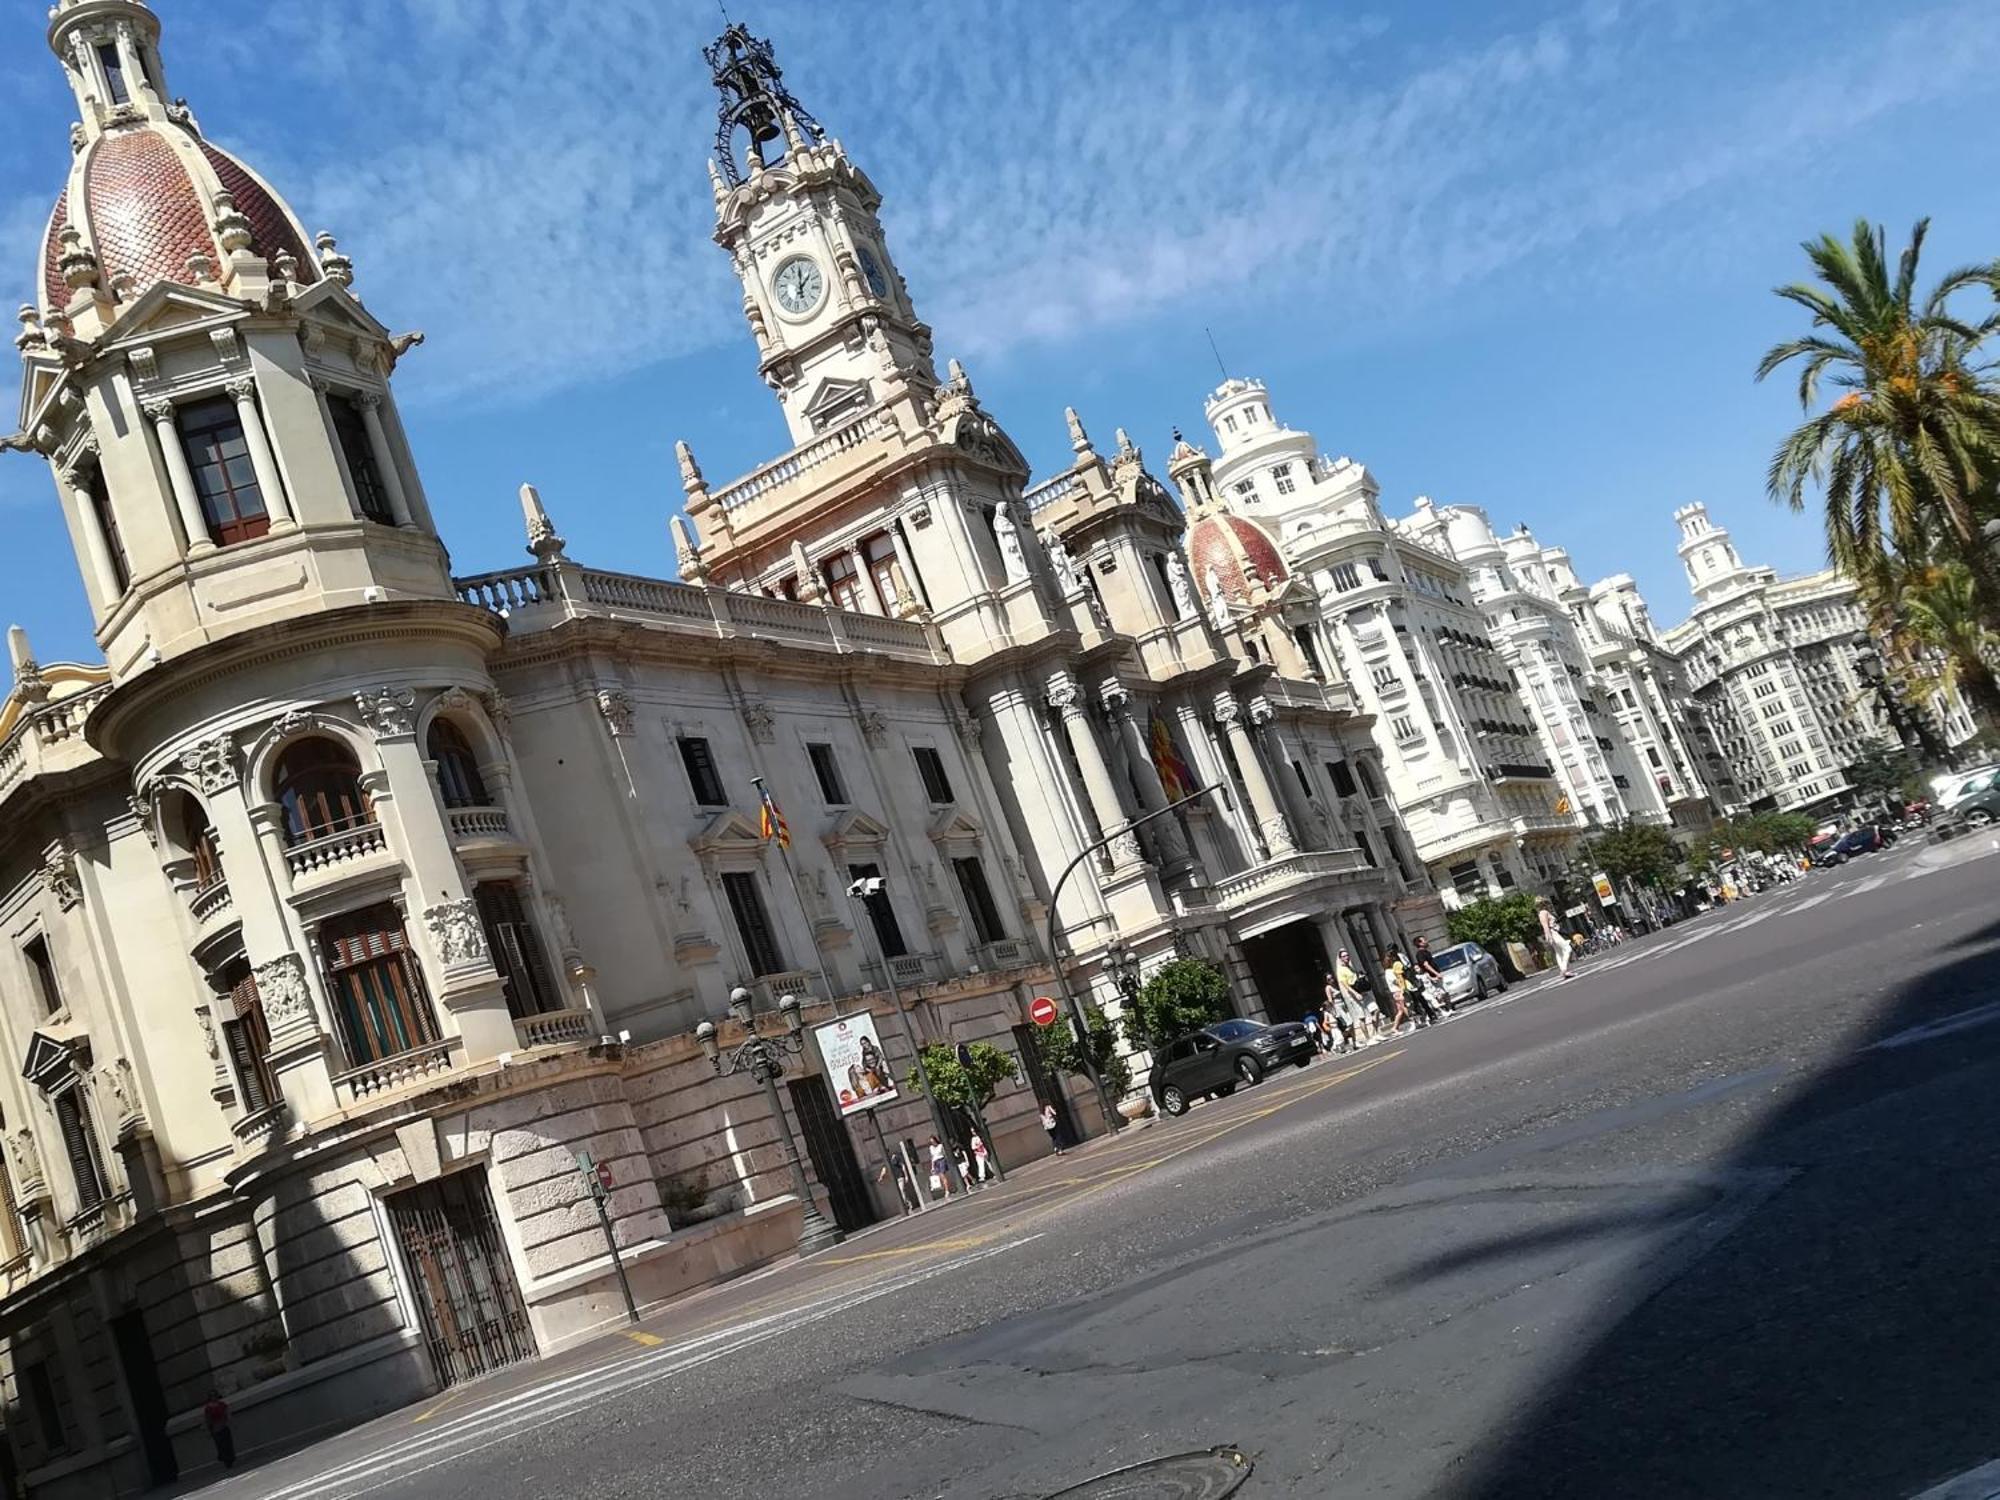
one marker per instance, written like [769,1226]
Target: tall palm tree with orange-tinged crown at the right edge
[1909,455]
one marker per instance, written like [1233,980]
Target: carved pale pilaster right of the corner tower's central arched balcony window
[453,939]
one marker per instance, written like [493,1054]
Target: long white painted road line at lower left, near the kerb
[465,1435]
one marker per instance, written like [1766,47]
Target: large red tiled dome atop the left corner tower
[145,217]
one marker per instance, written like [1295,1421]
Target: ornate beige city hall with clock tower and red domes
[343,903]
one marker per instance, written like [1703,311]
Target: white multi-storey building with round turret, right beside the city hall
[1463,759]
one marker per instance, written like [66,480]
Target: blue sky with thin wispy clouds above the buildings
[1507,255]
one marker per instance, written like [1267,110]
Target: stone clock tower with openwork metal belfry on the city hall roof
[833,321]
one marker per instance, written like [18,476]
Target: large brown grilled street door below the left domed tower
[461,1277]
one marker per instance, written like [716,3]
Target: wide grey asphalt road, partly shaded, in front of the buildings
[1715,1219]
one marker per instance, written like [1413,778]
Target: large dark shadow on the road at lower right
[1845,1337]
